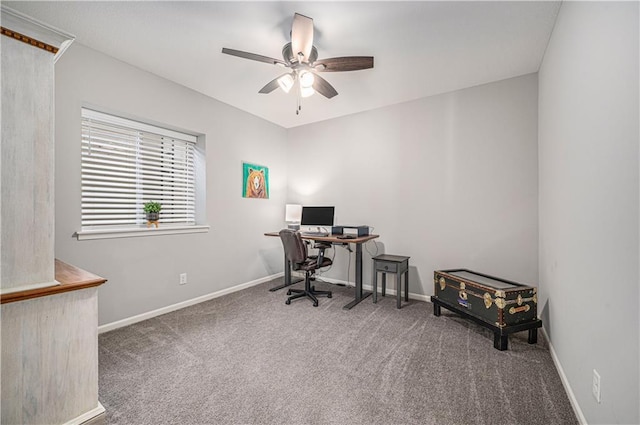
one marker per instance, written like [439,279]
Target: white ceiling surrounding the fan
[421,48]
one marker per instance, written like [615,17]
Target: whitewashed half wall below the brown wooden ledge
[50,358]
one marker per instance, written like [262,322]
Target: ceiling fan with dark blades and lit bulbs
[301,58]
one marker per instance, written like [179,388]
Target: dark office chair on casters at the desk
[296,251]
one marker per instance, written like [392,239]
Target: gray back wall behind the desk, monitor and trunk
[449,180]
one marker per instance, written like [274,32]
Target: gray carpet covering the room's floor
[247,358]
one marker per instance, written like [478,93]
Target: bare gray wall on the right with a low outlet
[588,149]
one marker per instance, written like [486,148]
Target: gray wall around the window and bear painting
[143,272]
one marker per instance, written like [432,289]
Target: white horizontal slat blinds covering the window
[127,163]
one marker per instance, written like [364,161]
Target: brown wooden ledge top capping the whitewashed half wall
[71,278]
